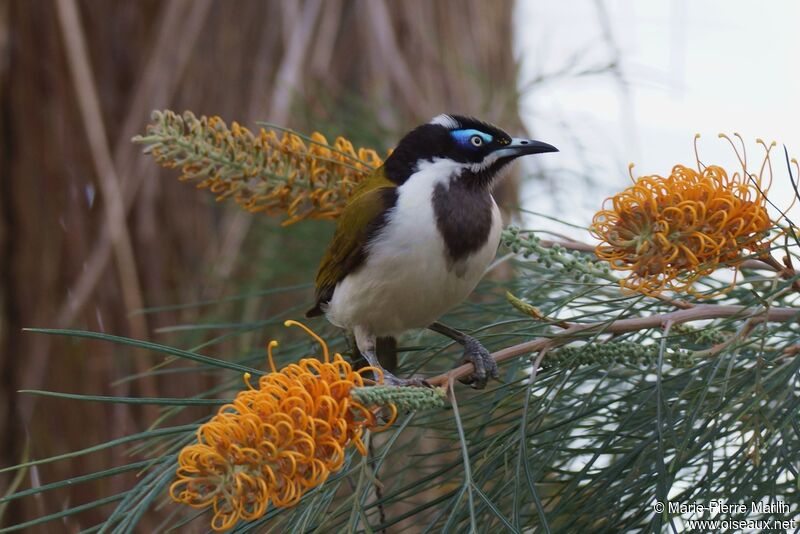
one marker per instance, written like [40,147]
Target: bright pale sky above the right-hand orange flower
[705,66]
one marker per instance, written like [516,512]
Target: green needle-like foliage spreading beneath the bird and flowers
[610,422]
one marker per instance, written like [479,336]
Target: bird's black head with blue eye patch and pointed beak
[477,150]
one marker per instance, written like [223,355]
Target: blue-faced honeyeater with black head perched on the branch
[416,237]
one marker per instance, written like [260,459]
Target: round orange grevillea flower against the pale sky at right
[669,231]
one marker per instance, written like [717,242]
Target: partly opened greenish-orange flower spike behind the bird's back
[278,173]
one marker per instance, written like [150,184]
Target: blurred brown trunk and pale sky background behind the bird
[94,236]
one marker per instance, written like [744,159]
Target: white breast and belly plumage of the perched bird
[406,281]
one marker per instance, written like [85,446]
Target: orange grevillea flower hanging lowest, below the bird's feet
[275,442]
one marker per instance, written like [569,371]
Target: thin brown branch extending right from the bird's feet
[697,313]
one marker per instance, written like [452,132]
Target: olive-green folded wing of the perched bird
[361,218]
